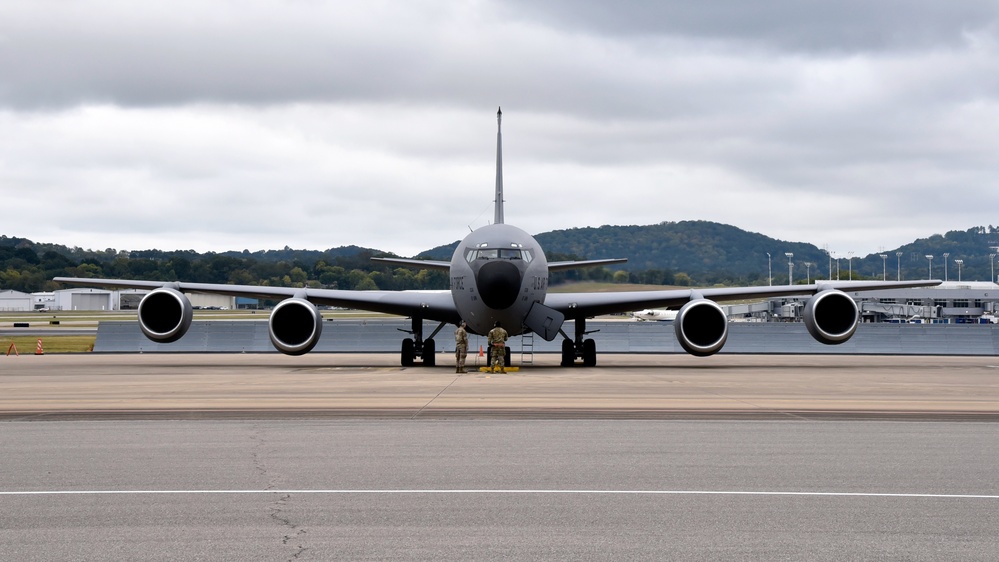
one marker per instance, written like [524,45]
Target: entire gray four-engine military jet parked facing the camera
[499,273]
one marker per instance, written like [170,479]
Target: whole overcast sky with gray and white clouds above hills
[259,124]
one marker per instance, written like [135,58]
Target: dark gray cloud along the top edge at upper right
[783,25]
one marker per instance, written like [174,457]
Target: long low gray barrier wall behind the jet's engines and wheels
[385,336]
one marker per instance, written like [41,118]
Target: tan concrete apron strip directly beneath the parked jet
[622,386]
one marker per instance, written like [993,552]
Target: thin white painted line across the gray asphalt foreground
[501,492]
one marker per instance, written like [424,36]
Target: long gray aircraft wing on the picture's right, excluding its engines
[586,305]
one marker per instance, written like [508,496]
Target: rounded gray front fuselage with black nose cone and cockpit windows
[498,272]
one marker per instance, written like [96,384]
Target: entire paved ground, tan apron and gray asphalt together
[230,457]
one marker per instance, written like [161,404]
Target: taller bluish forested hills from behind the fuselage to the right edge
[712,253]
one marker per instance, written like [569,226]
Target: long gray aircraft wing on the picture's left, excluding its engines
[431,305]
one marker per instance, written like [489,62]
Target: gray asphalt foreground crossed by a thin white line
[467,489]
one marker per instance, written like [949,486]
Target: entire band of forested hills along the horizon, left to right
[682,253]
